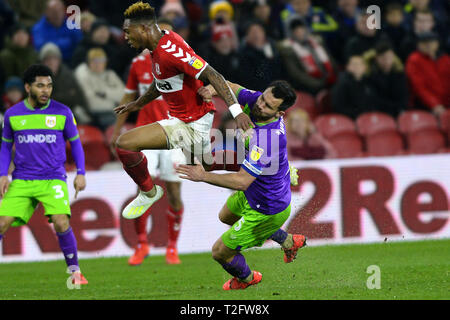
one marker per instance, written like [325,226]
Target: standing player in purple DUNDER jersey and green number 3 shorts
[39,128]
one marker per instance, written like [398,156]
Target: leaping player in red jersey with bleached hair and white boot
[178,74]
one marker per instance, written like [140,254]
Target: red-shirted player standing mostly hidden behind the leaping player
[139,80]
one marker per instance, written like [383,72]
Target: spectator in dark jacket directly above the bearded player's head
[259,61]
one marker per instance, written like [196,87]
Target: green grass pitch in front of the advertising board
[409,270]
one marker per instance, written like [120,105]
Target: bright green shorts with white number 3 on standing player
[23,196]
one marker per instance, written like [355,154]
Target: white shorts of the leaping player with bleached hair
[193,137]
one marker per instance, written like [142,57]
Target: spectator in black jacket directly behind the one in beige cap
[100,37]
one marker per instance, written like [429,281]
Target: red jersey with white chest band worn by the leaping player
[176,68]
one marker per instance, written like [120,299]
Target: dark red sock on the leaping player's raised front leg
[135,164]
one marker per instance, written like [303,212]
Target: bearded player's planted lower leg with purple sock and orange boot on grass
[234,263]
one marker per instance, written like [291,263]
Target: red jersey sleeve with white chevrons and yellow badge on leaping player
[184,59]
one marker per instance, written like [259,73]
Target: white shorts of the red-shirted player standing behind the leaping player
[162,163]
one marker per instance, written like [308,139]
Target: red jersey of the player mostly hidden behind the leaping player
[139,80]
